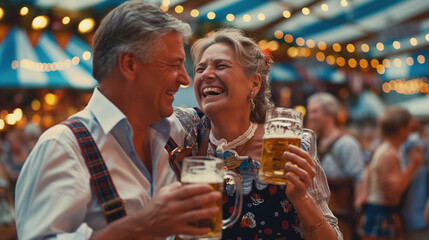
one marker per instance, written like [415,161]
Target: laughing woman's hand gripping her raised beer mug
[301,170]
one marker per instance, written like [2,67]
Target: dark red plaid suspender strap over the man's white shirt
[111,204]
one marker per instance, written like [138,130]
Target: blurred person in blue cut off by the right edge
[417,194]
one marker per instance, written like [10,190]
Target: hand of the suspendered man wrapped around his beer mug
[175,206]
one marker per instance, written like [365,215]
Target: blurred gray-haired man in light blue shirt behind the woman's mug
[341,159]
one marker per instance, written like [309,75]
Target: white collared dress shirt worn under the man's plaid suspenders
[54,197]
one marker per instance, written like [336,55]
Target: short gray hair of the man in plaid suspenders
[134,27]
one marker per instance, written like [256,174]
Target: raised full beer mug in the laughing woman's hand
[283,126]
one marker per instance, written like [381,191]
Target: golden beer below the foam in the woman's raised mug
[272,169]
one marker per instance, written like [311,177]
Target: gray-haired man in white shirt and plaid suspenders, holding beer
[138,62]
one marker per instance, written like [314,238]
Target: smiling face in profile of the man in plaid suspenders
[159,79]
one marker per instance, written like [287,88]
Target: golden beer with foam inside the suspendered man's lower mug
[214,223]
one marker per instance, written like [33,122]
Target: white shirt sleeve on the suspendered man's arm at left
[53,190]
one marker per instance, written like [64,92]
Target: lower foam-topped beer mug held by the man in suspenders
[201,169]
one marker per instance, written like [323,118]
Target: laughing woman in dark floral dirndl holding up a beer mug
[231,87]
